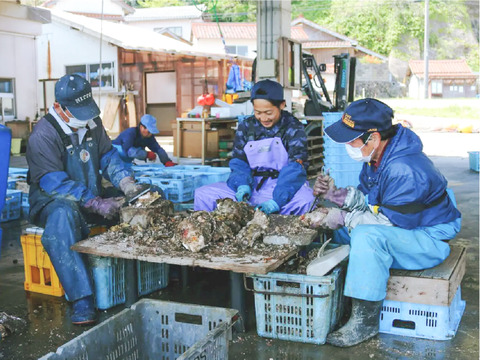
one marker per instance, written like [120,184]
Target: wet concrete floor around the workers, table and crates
[48,326]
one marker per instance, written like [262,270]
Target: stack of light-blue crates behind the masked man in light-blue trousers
[343,169]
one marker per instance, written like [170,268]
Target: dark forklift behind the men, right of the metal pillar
[318,103]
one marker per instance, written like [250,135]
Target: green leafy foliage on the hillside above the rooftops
[384,26]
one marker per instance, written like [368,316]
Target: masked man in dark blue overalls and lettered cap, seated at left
[66,151]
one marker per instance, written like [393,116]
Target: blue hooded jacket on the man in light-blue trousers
[407,176]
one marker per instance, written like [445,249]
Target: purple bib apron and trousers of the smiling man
[263,156]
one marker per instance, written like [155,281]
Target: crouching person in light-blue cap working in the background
[131,142]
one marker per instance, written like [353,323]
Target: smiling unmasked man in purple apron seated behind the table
[269,159]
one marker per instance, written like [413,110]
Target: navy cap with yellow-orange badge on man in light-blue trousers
[361,116]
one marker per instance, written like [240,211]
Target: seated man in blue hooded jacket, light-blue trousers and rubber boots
[398,217]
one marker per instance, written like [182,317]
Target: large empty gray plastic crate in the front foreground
[154,329]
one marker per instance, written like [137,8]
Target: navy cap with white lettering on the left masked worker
[75,93]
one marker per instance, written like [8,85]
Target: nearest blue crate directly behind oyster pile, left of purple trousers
[177,187]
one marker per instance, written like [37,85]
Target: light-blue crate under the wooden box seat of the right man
[422,321]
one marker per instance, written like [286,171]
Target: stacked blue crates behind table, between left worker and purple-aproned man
[180,182]
